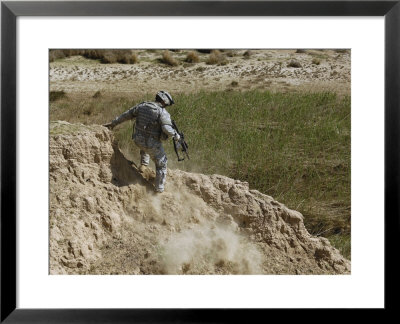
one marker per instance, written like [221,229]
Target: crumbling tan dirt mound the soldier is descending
[106,219]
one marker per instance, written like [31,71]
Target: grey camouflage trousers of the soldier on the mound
[152,148]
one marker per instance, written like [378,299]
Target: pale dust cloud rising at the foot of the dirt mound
[210,249]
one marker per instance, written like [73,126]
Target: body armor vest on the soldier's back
[148,120]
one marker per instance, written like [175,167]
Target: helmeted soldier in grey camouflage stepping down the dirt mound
[153,124]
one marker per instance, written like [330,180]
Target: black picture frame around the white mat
[11,10]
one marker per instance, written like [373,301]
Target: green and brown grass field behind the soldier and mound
[294,147]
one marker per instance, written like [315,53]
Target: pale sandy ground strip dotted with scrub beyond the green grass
[319,70]
